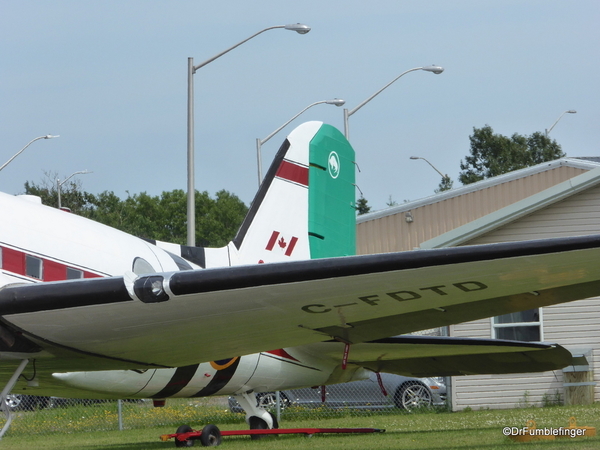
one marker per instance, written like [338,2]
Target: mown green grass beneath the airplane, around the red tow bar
[424,430]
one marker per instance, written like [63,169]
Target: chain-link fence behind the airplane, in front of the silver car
[40,415]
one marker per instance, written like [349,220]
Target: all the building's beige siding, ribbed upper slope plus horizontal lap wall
[573,325]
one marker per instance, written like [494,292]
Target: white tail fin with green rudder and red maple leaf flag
[305,207]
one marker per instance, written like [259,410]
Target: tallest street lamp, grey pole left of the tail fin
[191,190]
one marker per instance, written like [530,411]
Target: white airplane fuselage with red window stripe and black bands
[43,244]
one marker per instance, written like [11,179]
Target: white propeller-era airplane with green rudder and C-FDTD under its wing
[89,311]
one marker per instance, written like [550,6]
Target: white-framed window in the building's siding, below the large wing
[520,326]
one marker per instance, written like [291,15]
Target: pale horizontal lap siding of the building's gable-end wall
[573,325]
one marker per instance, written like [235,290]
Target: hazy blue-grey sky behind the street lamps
[110,77]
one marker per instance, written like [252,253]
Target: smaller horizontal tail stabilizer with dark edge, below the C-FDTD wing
[429,356]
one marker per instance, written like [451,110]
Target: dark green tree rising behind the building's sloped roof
[494,154]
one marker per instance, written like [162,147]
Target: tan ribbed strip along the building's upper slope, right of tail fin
[392,233]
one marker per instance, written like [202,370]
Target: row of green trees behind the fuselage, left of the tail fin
[162,217]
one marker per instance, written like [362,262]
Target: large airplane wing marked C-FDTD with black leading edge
[180,318]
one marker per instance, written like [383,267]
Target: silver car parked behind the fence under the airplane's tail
[402,392]
